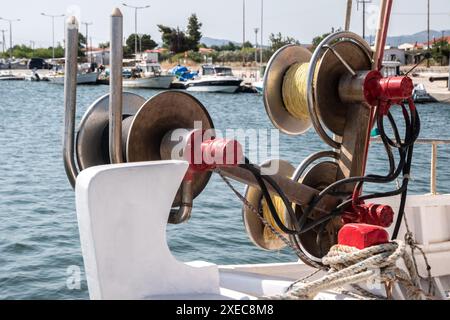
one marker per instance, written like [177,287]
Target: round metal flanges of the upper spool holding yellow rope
[335,57]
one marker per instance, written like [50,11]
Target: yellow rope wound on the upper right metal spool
[294,91]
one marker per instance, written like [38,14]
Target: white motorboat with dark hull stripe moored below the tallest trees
[215,79]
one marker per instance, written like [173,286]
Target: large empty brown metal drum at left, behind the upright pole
[144,126]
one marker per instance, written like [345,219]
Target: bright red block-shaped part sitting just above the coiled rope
[362,236]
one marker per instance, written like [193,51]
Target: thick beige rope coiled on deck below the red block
[350,266]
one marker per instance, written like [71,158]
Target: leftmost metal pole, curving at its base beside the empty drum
[70,96]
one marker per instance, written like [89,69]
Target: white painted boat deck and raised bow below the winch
[122,214]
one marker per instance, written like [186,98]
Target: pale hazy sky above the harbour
[302,19]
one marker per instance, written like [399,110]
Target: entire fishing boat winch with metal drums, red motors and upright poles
[338,90]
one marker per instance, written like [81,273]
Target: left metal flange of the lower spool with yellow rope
[253,224]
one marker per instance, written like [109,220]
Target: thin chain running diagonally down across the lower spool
[260,216]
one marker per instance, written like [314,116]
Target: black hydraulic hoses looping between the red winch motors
[405,148]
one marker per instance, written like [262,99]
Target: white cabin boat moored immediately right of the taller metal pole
[148,75]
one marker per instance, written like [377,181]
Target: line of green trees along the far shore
[181,43]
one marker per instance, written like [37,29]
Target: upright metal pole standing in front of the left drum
[115,96]
